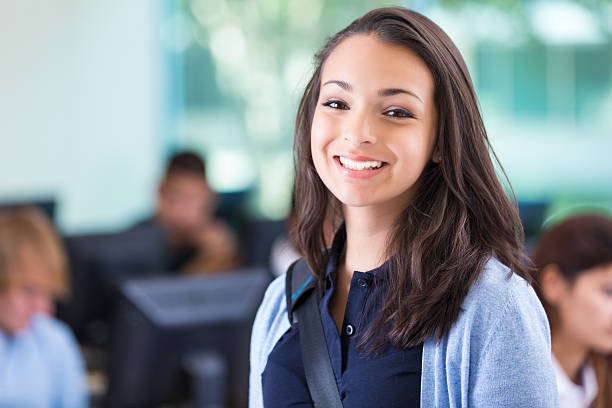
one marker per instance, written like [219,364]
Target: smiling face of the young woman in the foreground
[374,126]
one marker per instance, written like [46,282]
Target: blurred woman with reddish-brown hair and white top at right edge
[574,281]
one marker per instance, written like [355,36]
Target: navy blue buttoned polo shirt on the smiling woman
[390,378]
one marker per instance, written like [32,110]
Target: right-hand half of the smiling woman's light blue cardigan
[497,353]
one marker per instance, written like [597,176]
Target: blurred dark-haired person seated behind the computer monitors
[196,240]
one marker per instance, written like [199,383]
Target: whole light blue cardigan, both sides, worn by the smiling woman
[496,355]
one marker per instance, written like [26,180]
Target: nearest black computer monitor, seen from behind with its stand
[184,340]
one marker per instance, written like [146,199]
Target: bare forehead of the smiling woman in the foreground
[365,61]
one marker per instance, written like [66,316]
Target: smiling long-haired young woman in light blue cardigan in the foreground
[423,294]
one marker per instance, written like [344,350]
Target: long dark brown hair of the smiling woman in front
[460,215]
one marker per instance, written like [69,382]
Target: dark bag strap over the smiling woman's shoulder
[303,310]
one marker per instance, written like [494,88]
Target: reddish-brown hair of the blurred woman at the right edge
[577,244]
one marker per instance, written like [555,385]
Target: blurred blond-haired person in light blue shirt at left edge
[40,364]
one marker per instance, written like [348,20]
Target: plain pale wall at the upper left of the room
[79,107]
